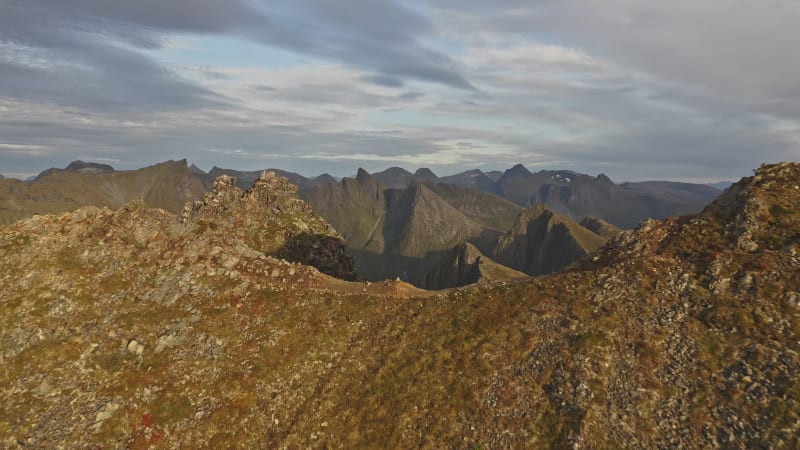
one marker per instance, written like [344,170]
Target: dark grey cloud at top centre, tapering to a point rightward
[383,37]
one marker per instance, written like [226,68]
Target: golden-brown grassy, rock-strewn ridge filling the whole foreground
[134,328]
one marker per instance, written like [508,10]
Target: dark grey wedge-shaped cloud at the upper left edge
[47,57]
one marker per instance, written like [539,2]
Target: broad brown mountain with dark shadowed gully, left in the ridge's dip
[409,233]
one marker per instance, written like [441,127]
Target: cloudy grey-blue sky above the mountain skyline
[685,90]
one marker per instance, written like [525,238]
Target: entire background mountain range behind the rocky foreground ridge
[432,232]
